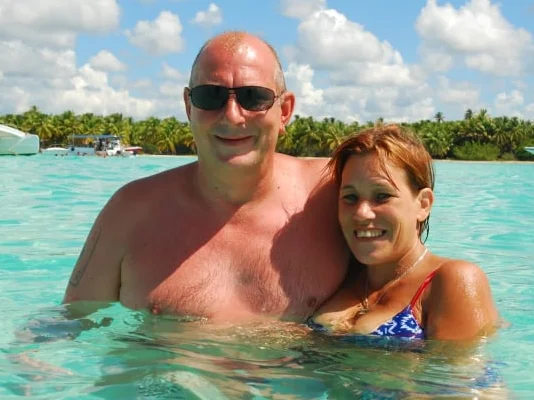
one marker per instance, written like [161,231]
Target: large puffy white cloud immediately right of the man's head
[364,78]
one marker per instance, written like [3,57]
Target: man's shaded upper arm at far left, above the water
[97,273]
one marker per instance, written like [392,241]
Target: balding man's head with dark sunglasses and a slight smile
[236,101]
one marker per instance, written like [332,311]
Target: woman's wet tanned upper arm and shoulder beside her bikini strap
[460,304]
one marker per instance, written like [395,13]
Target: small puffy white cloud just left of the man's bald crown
[158,37]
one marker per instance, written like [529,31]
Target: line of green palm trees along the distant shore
[477,136]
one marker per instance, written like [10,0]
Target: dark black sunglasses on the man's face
[214,97]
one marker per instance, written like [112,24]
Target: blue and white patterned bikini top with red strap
[402,325]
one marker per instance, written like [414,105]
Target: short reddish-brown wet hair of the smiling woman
[392,144]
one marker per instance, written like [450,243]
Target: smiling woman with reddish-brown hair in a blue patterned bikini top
[386,182]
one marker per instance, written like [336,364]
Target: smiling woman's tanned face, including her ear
[379,217]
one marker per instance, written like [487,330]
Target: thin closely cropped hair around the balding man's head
[231,40]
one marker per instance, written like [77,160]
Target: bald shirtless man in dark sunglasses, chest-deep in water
[240,234]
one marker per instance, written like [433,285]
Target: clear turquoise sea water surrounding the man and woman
[484,213]
